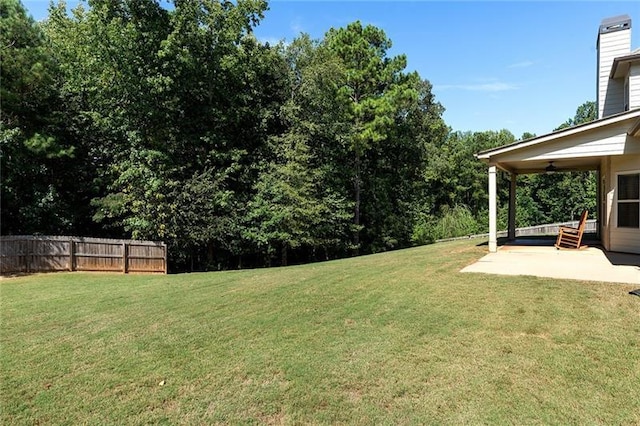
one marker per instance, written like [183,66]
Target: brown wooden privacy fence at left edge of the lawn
[20,253]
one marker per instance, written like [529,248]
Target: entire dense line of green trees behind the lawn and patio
[127,119]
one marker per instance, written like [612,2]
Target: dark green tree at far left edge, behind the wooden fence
[36,157]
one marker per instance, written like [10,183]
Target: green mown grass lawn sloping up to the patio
[399,337]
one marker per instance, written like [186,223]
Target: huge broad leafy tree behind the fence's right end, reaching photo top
[166,100]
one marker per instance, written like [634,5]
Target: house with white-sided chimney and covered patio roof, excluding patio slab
[609,145]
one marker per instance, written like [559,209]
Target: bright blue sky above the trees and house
[521,66]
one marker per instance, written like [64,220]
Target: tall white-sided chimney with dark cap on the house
[614,40]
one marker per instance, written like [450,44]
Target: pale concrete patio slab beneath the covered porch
[587,264]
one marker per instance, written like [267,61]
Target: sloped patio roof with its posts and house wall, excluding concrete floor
[609,146]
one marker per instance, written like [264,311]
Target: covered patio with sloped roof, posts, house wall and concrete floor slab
[609,146]
